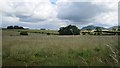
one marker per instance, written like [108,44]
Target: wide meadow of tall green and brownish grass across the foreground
[39,49]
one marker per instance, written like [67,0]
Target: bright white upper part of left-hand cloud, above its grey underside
[39,8]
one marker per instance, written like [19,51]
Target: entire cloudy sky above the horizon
[53,14]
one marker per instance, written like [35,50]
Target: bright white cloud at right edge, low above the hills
[109,19]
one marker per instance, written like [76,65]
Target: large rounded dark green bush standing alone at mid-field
[69,30]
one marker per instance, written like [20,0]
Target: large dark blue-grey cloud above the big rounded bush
[79,11]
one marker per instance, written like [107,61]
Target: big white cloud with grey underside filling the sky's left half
[24,12]
